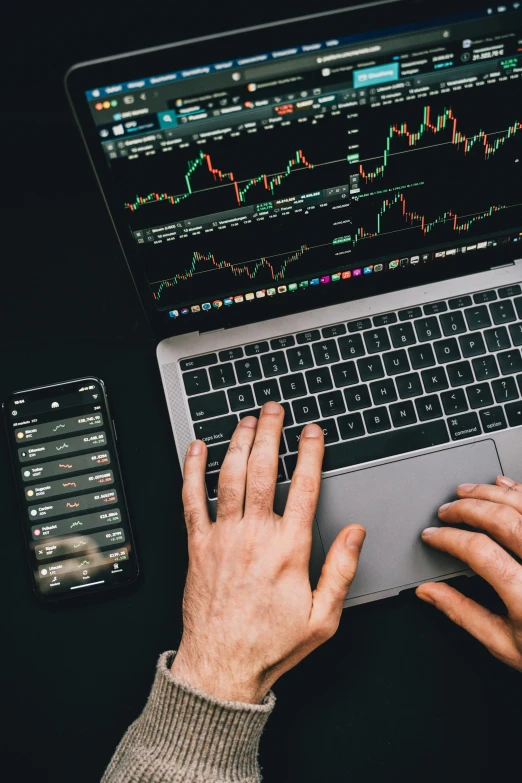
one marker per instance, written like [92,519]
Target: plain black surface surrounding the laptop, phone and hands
[399,695]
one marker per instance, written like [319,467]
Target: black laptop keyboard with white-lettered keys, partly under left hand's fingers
[398,382]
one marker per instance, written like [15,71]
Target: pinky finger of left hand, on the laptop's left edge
[194,493]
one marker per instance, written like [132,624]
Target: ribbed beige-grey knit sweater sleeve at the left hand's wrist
[185,736]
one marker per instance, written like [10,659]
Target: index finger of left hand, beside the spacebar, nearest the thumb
[306,481]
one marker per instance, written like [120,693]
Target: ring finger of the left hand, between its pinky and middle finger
[232,478]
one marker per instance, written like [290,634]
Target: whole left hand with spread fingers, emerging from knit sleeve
[249,612]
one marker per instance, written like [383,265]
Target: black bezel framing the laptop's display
[238,43]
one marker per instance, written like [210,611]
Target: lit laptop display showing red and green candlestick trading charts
[269,174]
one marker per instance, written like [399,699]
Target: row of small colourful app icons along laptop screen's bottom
[341,275]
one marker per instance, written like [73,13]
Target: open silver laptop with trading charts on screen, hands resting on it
[326,211]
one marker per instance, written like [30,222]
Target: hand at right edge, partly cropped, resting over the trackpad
[497,510]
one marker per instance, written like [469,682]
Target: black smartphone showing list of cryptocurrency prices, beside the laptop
[73,509]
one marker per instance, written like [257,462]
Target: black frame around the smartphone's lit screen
[58,389]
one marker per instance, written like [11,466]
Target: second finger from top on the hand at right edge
[503,522]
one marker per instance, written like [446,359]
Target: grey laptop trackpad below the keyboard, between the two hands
[395,502]
